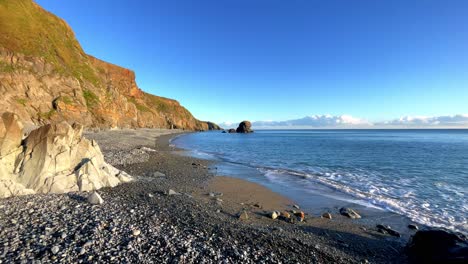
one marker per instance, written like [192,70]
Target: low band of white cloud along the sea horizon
[347,121]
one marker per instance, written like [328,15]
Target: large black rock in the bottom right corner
[438,246]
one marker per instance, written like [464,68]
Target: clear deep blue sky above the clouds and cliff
[228,60]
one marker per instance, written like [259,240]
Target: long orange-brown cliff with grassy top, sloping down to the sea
[46,76]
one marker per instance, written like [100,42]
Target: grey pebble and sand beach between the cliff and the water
[177,211]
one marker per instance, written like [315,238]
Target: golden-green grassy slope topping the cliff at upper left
[28,29]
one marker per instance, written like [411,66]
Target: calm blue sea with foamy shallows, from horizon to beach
[418,174]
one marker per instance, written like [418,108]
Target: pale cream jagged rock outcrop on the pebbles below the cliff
[54,158]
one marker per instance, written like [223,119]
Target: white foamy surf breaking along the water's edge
[404,196]
